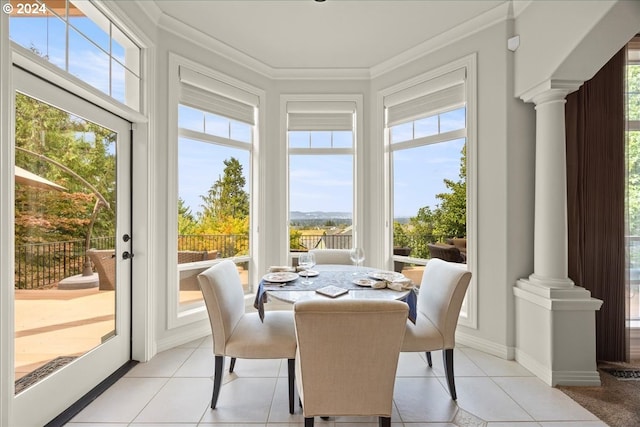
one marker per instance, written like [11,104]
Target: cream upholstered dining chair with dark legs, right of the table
[442,290]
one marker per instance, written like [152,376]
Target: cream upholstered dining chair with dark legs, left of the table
[237,334]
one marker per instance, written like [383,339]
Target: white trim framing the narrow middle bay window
[357,152]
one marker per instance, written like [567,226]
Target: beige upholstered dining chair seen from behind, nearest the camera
[347,356]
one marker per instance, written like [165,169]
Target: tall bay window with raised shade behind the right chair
[427,142]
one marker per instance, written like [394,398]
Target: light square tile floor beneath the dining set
[174,389]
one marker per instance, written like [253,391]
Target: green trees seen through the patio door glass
[83,147]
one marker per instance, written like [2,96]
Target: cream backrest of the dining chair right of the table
[442,290]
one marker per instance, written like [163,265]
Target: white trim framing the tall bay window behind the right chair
[469,314]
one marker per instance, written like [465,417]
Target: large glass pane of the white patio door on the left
[65,208]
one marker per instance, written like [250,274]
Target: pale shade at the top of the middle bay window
[320,116]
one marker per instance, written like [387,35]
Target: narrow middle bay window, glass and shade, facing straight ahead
[321,174]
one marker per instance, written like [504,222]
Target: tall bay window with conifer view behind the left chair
[216,123]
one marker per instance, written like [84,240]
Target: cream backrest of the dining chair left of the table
[224,298]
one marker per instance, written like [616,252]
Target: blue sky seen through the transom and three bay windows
[317,183]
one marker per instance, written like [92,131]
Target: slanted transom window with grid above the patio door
[78,38]
